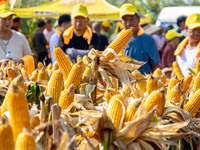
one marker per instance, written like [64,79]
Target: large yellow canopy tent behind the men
[97,9]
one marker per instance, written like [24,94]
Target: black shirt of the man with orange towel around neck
[78,42]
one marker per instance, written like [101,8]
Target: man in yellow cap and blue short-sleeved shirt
[141,46]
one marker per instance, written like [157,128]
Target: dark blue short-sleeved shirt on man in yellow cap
[143,48]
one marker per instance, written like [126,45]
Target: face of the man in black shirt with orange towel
[79,23]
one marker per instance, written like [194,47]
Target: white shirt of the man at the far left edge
[18,45]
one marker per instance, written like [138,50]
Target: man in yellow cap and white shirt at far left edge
[11,42]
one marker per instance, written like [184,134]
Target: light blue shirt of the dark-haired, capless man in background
[52,42]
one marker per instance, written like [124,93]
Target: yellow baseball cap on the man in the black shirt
[79,10]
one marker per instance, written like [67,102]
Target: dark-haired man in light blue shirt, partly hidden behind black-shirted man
[64,22]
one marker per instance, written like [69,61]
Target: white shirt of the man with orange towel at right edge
[186,60]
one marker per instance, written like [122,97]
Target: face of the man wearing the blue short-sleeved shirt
[129,21]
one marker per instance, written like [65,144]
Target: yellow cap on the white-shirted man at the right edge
[193,21]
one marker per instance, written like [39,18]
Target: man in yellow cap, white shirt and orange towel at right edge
[189,49]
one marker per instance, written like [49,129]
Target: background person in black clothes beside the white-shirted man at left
[39,42]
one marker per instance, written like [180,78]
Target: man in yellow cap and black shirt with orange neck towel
[78,39]
